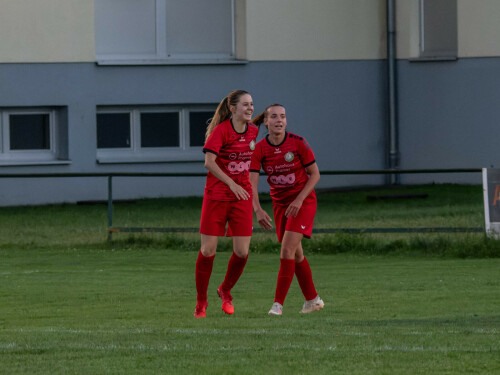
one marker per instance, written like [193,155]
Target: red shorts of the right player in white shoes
[302,223]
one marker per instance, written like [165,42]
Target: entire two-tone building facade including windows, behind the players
[104,86]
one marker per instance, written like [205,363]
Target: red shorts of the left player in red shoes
[215,215]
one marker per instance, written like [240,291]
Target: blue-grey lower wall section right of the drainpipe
[448,116]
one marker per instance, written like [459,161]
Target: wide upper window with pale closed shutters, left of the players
[164,30]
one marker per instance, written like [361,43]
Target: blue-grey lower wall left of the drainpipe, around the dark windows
[338,106]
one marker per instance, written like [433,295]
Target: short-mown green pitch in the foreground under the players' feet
[130,312]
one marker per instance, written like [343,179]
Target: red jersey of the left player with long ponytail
[233,151]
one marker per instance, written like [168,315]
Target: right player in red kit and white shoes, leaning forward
[292,172]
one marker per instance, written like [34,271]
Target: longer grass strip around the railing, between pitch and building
[68,226]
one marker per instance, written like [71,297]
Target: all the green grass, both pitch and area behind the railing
[71,303]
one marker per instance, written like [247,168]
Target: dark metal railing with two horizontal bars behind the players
[112,229]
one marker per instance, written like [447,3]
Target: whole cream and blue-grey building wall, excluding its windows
[323,59]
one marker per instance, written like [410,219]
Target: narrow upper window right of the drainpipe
[438,29]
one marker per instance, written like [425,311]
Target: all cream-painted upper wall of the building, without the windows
[278,30]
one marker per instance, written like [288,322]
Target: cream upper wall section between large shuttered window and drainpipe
[282,30]
